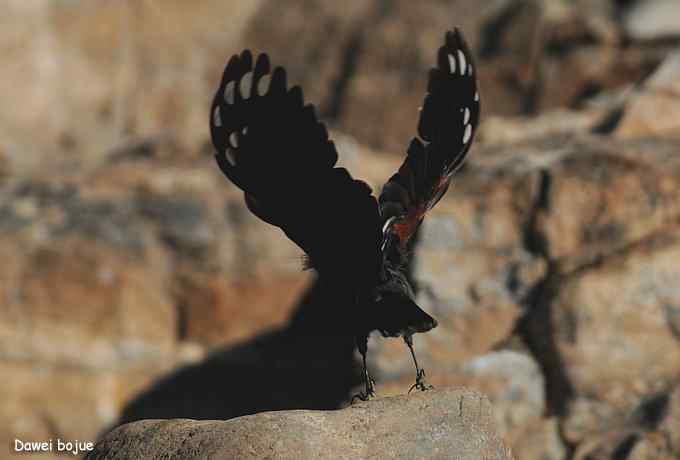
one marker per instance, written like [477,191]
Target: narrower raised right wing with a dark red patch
[448,121]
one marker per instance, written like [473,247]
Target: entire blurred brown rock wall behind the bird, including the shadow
[135,284]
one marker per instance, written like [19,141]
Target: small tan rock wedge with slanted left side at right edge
[655,109]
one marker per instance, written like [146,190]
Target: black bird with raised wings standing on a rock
[271,144]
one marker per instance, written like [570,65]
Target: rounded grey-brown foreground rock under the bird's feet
[435,424]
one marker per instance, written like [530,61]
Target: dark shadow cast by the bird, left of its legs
[304,365]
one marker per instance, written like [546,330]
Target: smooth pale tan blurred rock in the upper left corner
[143,77]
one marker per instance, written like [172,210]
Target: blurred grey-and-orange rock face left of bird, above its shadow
[115,275]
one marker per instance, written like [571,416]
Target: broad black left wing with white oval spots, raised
[270,144]
